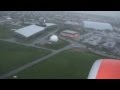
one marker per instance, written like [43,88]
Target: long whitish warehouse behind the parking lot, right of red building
[97,26]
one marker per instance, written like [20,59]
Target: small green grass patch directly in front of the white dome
[55,45]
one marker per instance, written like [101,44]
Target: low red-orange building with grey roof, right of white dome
[70,34]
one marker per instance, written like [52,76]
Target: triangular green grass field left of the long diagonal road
[13,55]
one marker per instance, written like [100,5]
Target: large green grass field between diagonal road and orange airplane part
[70,64]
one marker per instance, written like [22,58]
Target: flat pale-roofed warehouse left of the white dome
[29,31]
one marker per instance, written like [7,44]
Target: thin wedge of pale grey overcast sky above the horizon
[106,13]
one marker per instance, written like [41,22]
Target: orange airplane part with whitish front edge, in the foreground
[105,69]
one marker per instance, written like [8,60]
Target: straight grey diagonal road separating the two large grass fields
[33,63]
